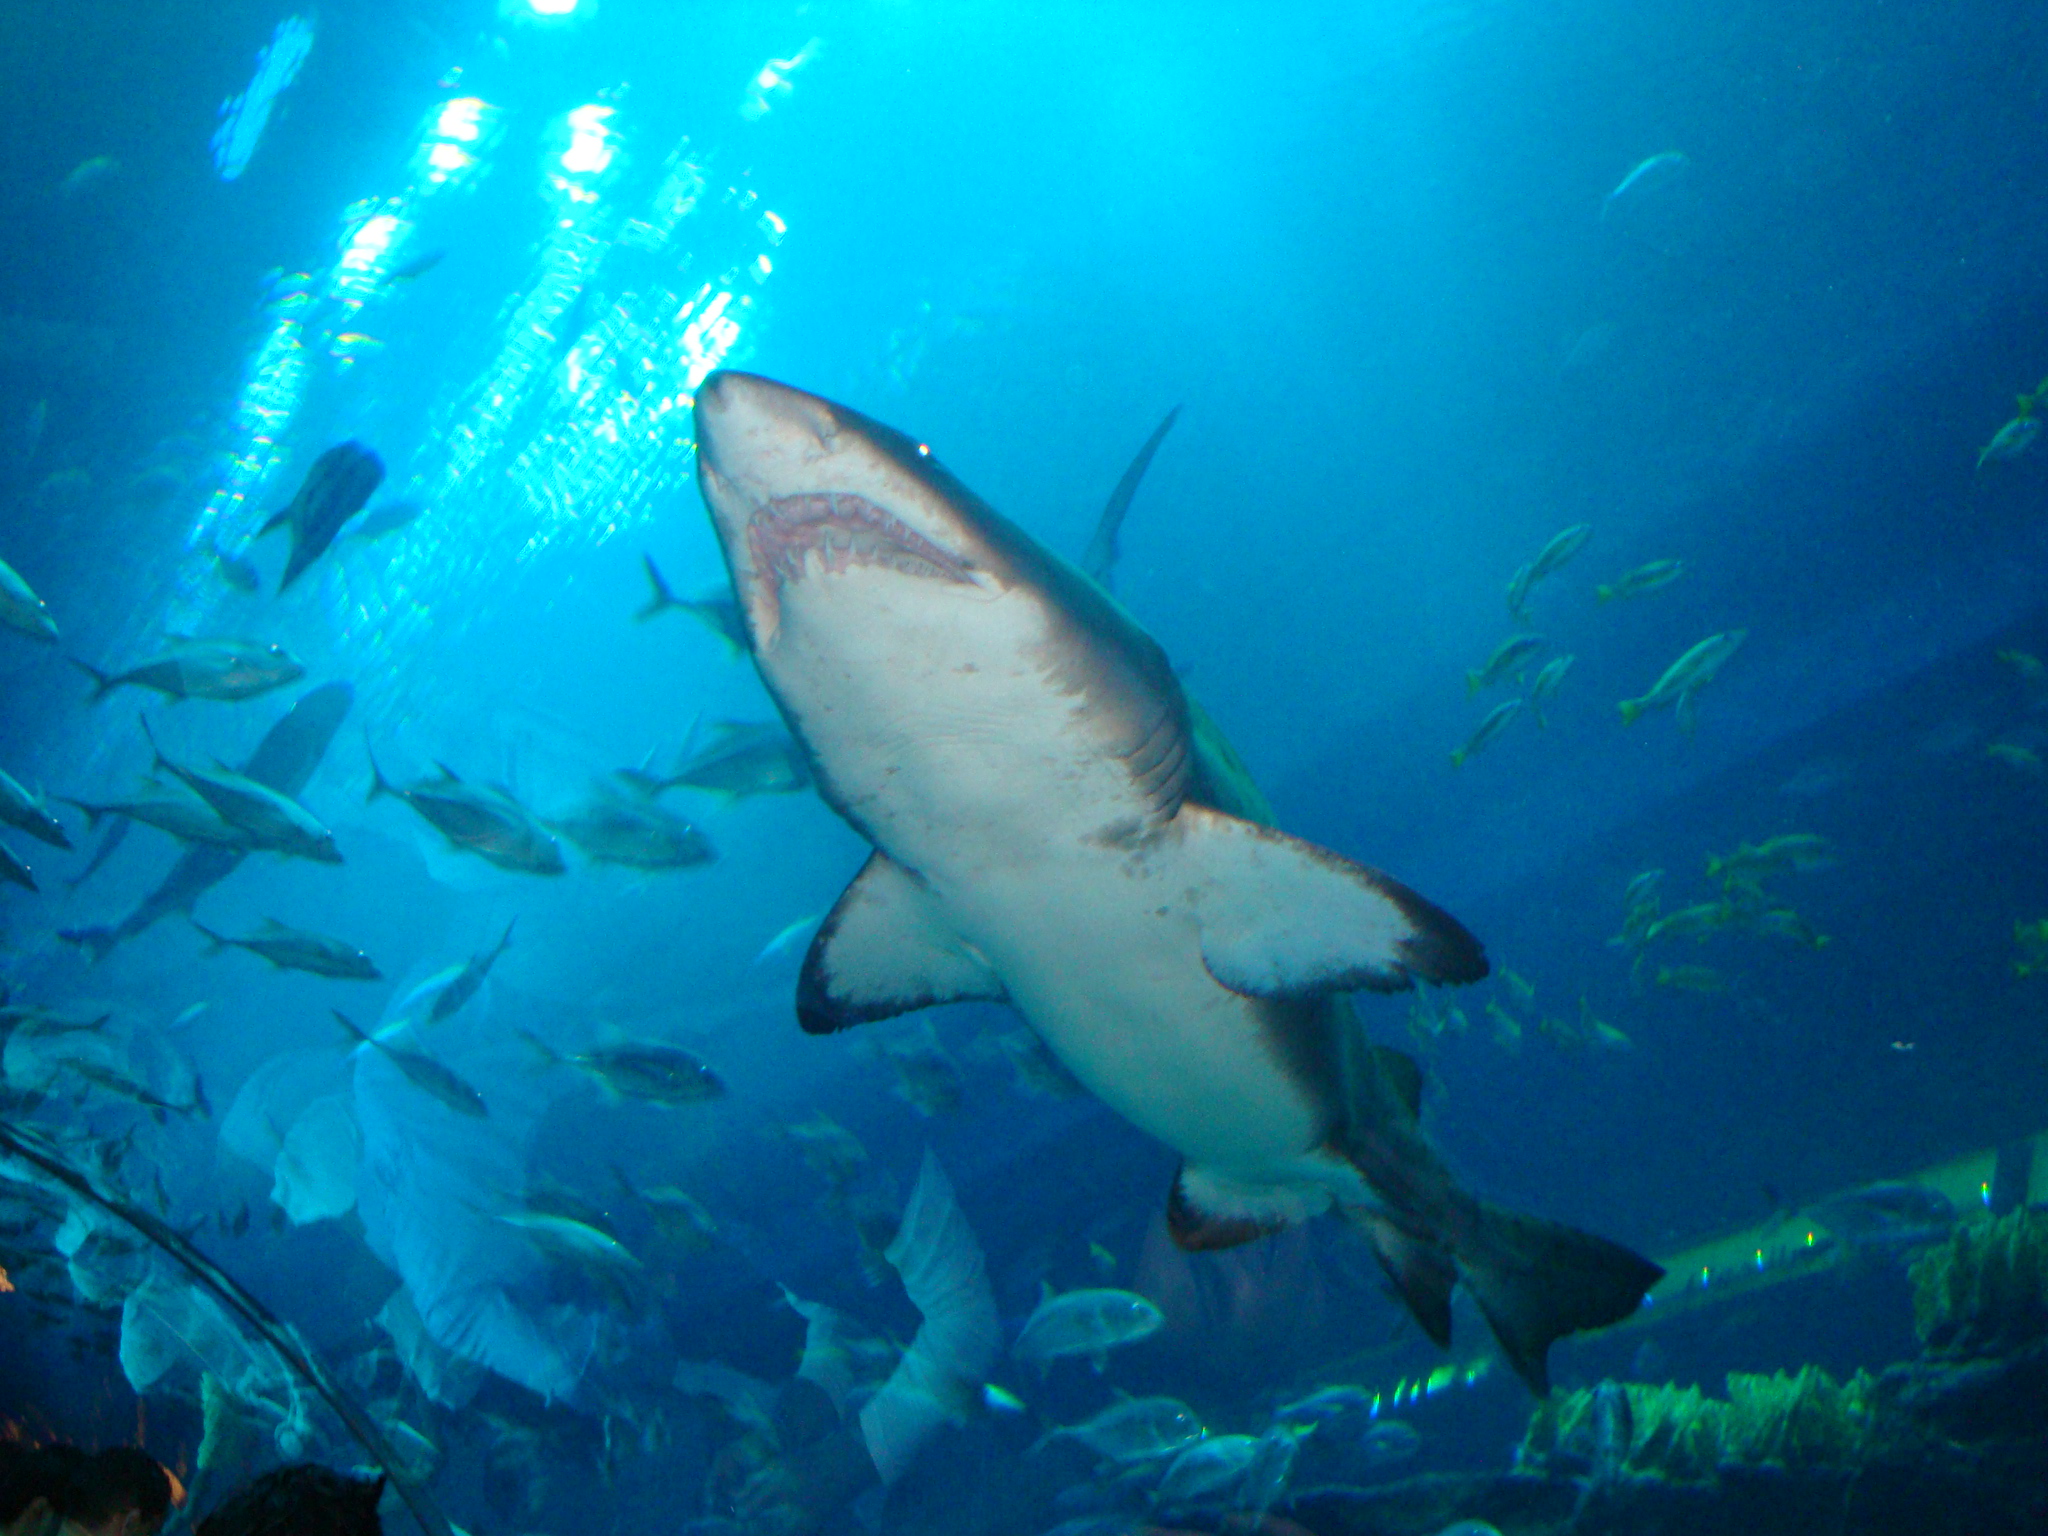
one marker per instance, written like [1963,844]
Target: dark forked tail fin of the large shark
[1539,1281]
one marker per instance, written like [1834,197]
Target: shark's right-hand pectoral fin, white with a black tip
[1283,919]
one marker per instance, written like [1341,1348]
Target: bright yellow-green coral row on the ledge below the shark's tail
[1797,1422]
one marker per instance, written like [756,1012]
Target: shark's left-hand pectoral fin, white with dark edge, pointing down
[886,951]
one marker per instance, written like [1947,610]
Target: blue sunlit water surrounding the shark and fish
[1365,249]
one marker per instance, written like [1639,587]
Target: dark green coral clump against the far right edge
[1986,1291]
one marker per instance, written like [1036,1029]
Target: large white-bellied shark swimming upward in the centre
[1058,828]
